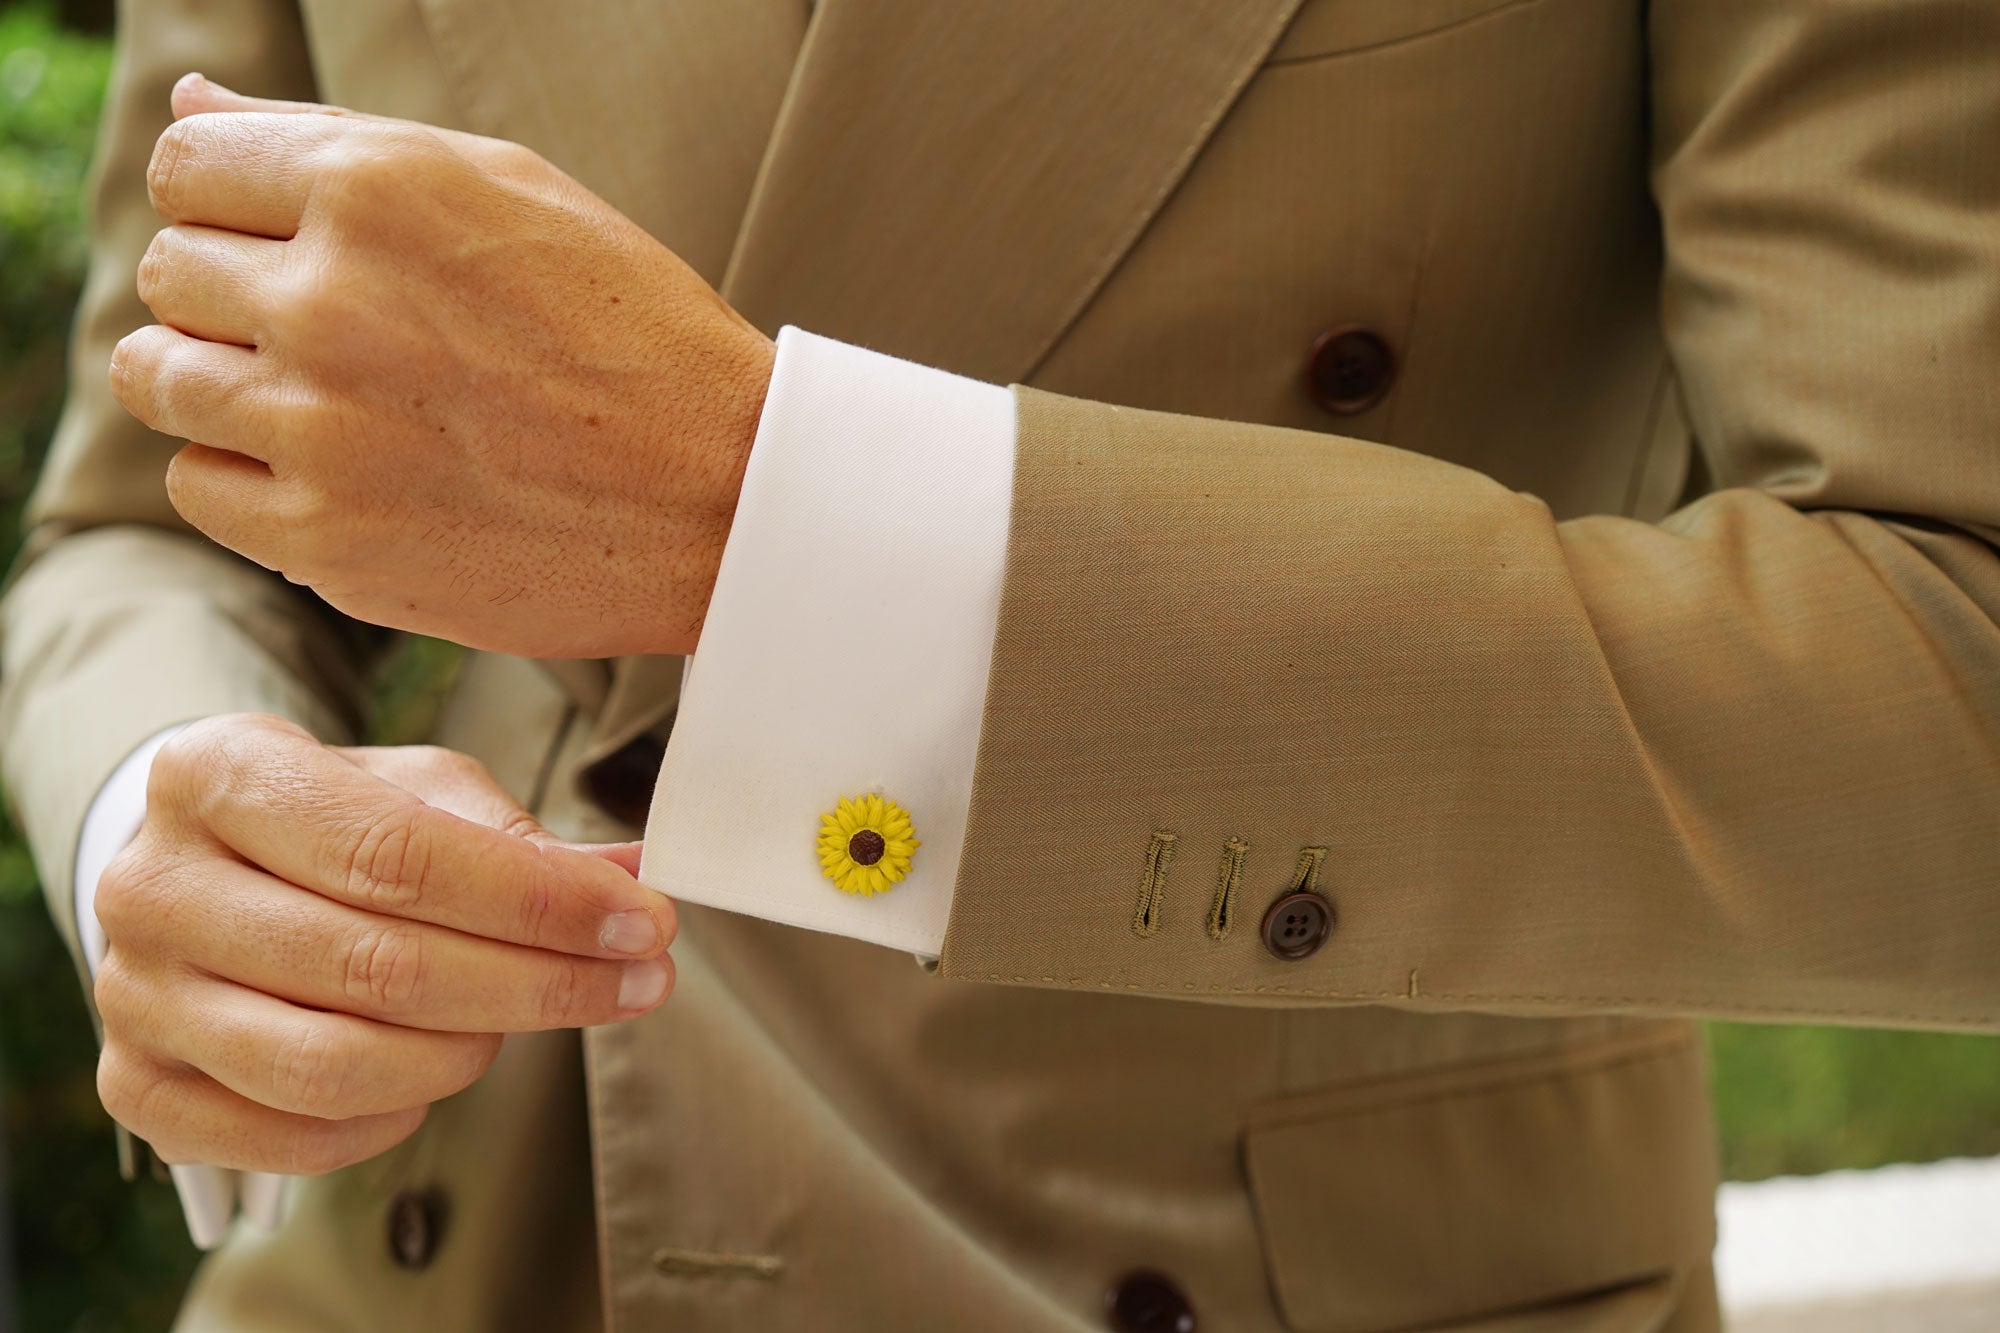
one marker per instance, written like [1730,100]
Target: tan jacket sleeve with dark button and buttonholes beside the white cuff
[1745,762]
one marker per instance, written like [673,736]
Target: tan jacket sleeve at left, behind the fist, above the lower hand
[119,619]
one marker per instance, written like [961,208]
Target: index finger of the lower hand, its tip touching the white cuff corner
[319,822]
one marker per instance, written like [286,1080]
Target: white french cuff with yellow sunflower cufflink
[821,766]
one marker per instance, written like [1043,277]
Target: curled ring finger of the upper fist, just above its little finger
[193,389]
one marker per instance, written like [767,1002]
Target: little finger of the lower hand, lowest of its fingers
[189,1118]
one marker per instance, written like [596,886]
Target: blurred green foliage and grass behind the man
[97,1254]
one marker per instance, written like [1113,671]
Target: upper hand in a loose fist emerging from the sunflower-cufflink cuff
[437,381]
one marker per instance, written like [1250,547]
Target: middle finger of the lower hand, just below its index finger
[303,948]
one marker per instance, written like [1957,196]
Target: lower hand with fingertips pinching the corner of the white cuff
[311,946]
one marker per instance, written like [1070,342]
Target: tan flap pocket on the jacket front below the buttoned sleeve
[1485,1190]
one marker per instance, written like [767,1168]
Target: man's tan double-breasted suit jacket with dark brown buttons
[1627,645]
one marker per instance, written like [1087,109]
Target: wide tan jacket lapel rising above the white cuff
[951,183]
